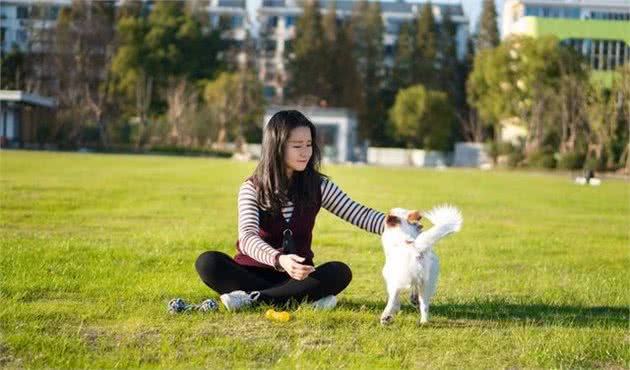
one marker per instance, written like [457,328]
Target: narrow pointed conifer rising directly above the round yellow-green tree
[426,62]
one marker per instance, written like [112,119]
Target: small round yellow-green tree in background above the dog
[423,118]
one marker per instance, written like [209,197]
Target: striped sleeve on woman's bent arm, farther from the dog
[250,242]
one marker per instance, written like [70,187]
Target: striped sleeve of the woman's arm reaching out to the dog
[340,204]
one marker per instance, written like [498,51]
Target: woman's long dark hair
[270,176]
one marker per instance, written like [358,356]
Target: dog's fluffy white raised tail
[446,219]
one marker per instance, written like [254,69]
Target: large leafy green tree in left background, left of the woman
[158,55]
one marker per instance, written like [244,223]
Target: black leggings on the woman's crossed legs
[223,275]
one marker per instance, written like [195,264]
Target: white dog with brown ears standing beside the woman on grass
[409,259]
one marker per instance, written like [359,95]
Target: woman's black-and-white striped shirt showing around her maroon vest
[333,199]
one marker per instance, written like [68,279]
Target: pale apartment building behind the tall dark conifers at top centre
[272,24]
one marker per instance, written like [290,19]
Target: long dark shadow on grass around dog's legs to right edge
[504,312]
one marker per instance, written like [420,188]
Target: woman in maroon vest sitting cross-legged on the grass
[277,207]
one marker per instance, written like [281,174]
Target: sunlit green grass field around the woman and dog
[92,247]
